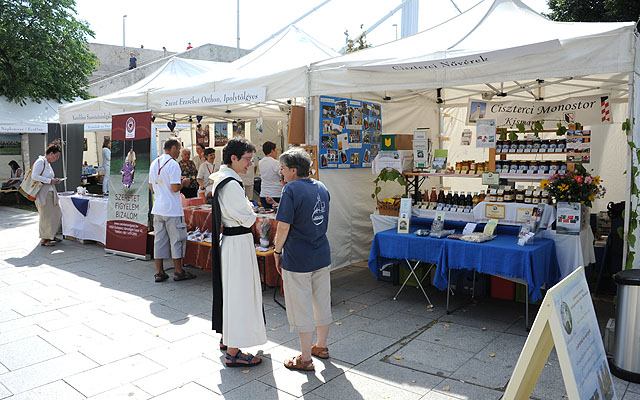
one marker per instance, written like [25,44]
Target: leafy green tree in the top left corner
[43,51]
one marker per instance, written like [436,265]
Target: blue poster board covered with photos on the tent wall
[350,132]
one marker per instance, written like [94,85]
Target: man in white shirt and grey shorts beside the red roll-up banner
[170,230]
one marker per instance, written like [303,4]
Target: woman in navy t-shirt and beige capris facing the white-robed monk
[303,256]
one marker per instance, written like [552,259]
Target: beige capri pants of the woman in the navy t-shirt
[308,299]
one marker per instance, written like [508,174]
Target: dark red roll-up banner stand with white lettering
[128,211]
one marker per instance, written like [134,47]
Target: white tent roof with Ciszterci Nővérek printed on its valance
[494,41]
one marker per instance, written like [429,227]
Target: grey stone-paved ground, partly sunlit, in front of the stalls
[77,324]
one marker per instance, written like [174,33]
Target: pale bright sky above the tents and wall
[173,24]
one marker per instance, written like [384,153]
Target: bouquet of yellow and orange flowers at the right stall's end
[577,186]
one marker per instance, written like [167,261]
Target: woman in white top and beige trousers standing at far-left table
[47,197]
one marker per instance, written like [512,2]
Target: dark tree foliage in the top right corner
[594,10]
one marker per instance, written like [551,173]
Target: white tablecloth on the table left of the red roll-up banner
[91,227]
